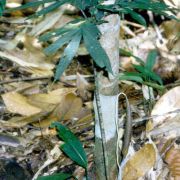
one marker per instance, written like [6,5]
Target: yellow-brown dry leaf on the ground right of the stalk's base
[139,164]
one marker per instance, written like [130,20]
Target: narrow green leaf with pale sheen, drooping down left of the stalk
[69,53]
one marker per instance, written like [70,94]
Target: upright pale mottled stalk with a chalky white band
[108,96]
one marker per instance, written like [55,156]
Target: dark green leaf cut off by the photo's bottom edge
[58,176]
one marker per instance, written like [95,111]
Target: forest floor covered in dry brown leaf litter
[30,101]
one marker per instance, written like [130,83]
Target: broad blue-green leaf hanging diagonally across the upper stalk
[90,34]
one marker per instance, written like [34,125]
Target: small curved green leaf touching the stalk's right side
[131,76]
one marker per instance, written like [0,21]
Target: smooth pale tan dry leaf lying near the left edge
[17,103]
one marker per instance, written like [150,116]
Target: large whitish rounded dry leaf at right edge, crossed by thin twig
[166,122]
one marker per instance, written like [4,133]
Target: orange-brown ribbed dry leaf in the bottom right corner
[172,158]
